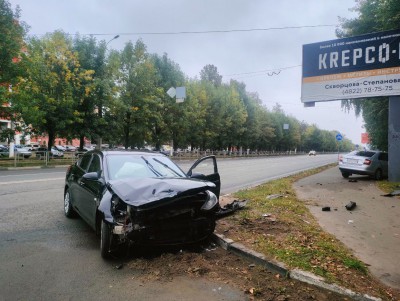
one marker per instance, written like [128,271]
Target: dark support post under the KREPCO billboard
[394,138]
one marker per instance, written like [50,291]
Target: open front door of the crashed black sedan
[206,169]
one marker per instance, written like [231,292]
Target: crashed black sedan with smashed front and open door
[142,198]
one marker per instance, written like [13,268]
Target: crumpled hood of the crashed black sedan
[149,192]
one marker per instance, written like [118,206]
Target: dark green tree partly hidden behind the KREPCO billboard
[373,16]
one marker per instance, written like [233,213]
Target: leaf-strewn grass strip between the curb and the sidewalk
[302,243]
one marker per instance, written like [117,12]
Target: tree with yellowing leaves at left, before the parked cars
[45,96]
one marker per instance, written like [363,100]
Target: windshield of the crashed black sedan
[134,166]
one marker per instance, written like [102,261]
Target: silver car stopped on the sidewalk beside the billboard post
[371,163]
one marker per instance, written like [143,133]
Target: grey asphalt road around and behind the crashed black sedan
[45,256]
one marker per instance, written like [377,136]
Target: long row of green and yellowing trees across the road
[75,88]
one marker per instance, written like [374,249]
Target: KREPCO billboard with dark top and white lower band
[356,67]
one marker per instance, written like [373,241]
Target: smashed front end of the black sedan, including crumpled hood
[160,211]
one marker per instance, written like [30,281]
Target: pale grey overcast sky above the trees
[258,42]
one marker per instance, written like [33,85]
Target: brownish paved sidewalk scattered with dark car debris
[371,230]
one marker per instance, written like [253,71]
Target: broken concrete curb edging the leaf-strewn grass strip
[280,268]
